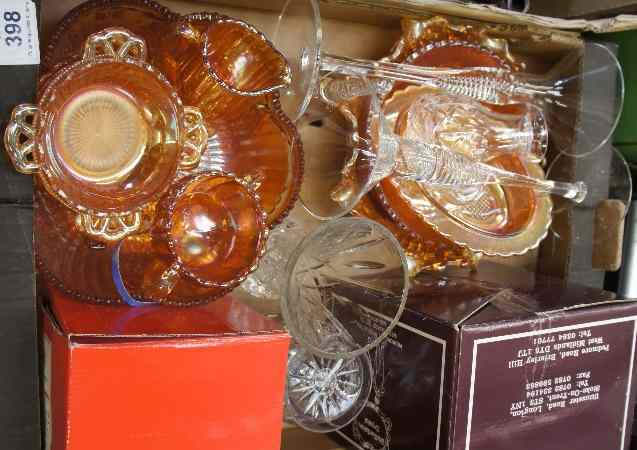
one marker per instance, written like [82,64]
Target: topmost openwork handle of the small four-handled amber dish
[117,43]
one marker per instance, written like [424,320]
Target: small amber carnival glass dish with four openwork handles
[108,135]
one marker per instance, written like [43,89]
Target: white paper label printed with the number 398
[19,44]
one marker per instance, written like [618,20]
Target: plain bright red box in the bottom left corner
[160,378]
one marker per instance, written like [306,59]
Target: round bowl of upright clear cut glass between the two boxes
[348,278]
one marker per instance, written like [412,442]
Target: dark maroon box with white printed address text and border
[476,365]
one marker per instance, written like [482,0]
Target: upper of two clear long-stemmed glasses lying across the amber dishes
[299,36]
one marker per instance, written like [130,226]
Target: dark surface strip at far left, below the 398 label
[19,412]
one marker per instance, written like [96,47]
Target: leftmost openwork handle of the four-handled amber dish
[19,138]
